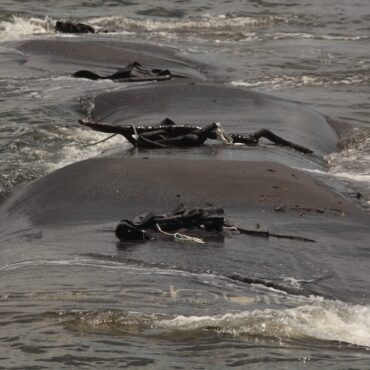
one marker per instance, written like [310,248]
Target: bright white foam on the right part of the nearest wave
[320,319]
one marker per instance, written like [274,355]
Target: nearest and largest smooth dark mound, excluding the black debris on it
[81,204]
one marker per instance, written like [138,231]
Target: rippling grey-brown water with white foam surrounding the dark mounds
[313,52]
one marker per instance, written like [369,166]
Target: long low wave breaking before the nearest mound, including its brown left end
[317,319]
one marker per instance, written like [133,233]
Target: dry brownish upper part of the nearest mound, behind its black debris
[124,187]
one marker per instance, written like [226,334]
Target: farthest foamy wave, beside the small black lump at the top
[221,27]
